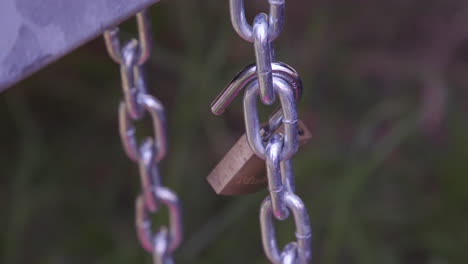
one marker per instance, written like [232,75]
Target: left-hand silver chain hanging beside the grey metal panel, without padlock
[152,150]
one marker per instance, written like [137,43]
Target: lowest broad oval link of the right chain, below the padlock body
[303,229]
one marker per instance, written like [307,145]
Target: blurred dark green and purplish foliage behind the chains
[384,177]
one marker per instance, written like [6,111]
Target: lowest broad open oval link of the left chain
[143,221]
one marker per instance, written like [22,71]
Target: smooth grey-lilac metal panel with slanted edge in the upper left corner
[34,33]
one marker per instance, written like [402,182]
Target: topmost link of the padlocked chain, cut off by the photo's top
[240,25]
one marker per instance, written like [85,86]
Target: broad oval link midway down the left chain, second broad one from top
[127,129]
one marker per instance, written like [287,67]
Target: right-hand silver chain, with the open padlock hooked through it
[280,147]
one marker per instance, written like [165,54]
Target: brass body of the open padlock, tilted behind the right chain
[241,171]
